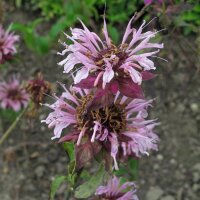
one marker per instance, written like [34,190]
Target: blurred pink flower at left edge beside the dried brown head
[12,95]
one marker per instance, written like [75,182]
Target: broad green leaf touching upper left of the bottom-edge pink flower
[88,188]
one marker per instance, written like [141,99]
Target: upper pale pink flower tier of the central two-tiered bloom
[106,62]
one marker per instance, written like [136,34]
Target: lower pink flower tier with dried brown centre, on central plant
[120,127]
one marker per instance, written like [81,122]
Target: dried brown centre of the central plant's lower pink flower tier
[112,117]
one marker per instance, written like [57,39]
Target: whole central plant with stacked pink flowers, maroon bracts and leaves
[102,119]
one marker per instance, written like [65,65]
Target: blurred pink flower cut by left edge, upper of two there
[7,41]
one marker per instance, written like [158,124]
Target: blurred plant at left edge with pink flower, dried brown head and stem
[18,99]
